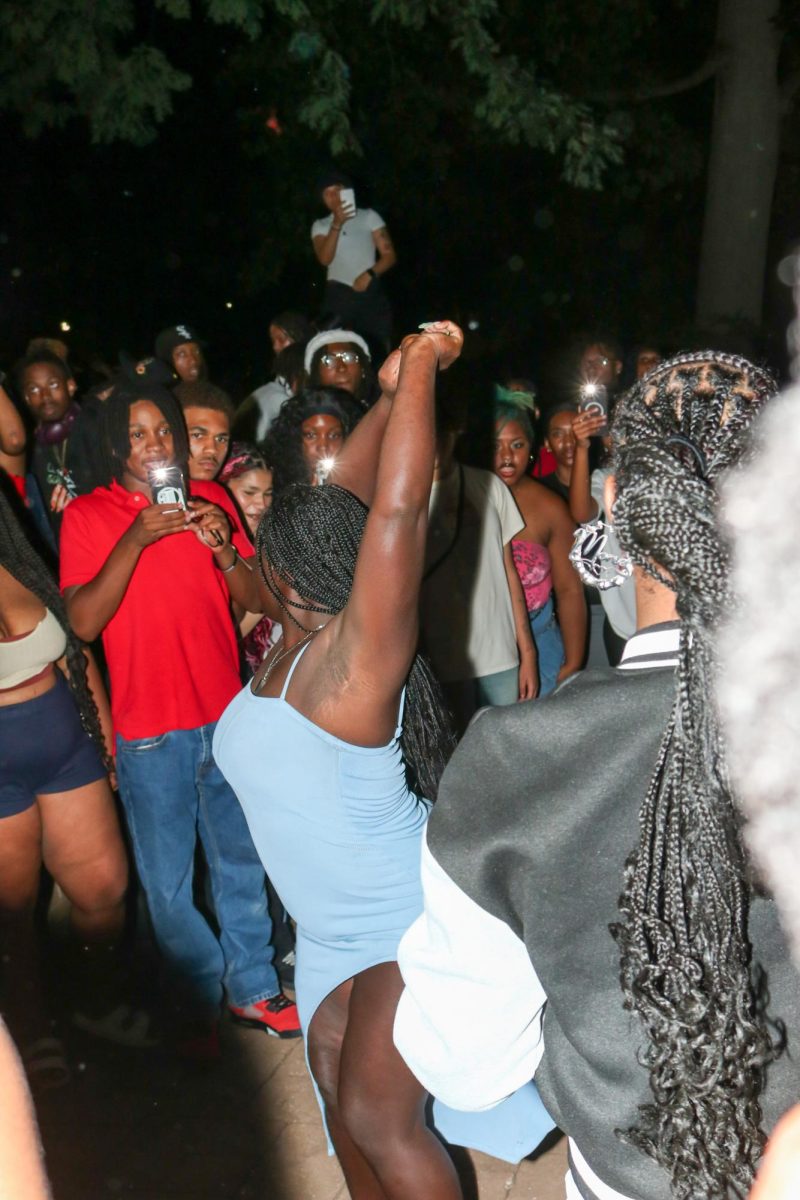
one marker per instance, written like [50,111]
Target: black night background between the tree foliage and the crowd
[210,224]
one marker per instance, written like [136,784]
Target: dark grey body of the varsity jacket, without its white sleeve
[537,815]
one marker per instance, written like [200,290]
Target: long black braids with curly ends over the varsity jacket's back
[685,955]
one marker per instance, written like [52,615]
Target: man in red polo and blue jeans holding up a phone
[158,581]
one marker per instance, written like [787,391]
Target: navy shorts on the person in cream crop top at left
[44,749]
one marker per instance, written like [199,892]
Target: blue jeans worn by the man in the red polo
[172,790]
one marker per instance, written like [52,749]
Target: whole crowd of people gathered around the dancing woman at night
[268,628]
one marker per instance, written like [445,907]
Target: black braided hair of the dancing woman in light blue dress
[310,539]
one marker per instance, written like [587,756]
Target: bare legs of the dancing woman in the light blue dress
[374,1105]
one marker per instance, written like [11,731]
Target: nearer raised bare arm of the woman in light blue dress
[380,626]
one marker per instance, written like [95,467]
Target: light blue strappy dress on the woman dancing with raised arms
[340,836]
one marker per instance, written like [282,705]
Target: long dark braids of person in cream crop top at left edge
[22,562]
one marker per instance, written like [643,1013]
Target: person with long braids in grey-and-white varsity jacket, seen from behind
[599,844]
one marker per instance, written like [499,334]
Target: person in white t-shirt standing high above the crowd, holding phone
[356,248]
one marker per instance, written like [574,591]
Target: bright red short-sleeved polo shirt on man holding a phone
[171,646]
